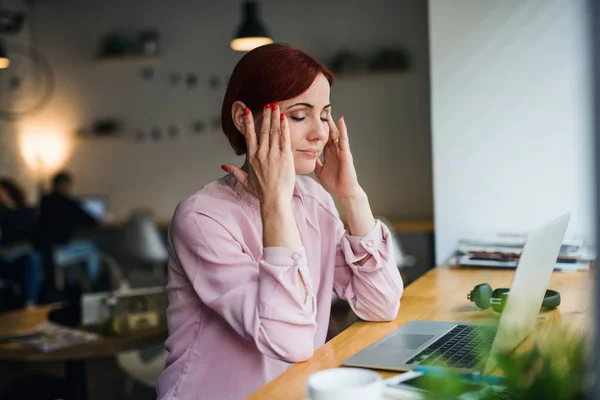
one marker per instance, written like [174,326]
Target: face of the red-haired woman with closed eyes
[307,116]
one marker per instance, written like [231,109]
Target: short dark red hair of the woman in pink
[267,74]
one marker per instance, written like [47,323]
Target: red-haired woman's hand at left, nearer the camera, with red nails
[271,173]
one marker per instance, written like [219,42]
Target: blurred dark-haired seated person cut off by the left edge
[17,224]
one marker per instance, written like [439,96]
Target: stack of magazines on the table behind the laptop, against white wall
[503,251]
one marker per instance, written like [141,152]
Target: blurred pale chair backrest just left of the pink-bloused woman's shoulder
[142,239]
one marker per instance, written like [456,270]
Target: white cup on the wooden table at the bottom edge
[344,384]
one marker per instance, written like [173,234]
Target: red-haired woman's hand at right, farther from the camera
[336,173]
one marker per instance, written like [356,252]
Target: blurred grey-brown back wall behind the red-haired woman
[388,115]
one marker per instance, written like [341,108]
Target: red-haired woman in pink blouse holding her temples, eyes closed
[256,255]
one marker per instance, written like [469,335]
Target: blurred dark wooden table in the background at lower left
[23,321]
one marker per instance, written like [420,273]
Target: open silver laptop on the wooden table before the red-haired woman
[466,346]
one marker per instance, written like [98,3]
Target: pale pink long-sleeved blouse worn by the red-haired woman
[236,320]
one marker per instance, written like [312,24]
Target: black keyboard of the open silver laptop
[465,346]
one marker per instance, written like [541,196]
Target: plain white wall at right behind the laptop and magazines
[511,116]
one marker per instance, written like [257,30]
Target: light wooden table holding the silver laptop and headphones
[441,294]
